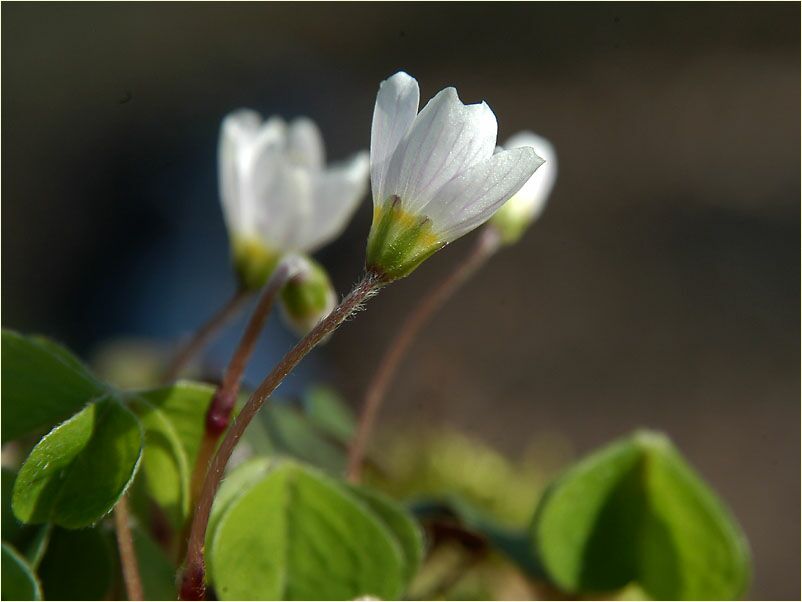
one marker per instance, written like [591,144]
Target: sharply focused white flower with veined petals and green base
[434,174]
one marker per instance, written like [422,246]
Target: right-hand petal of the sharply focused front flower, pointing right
[473,196]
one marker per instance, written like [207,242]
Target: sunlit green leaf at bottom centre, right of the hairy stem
[299,535]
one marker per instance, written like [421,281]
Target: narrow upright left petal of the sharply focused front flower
[393,115]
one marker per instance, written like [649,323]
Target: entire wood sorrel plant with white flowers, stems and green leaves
[175,491]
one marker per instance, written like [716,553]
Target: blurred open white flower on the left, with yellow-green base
[277,194]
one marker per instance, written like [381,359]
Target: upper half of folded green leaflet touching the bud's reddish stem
[184,404]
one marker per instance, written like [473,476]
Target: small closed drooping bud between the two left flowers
[307,297]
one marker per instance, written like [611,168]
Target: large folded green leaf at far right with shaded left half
[636,512]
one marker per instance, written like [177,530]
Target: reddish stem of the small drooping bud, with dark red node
[218,415]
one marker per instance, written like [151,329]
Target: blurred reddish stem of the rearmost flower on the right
[487,244]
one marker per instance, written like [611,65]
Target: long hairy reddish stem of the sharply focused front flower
[192,586]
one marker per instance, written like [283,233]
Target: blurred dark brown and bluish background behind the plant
[660,289]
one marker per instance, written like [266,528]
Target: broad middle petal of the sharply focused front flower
[447,138]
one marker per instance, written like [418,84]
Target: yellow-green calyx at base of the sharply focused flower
[398,241]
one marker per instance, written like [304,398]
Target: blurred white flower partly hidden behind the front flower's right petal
[526,205]
